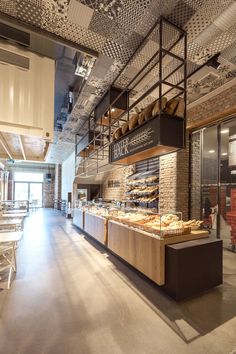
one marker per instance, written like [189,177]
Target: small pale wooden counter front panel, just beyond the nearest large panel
[96,227]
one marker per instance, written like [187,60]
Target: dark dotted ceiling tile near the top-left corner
[29,12]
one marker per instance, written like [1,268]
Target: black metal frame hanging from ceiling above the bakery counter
[98,146]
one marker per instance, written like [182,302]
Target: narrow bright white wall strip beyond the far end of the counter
[67,176]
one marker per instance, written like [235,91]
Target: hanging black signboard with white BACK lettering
[162,131]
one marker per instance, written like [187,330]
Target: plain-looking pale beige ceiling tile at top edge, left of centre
[79,14]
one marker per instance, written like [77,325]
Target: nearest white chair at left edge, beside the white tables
[7,261]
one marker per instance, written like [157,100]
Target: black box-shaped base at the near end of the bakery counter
[193,267]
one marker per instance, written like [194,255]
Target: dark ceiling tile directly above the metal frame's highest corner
[181,14]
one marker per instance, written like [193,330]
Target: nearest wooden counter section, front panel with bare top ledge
[143,250]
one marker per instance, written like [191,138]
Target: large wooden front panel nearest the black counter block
[142,251]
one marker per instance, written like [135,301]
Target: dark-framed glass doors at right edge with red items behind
[218,179]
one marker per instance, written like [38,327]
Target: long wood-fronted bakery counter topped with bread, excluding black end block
[139,236]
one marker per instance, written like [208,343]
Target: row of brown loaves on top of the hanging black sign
[174,107]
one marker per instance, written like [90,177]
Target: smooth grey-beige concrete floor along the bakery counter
[71,297]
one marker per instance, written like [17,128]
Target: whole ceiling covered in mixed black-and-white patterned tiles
[115,28]
